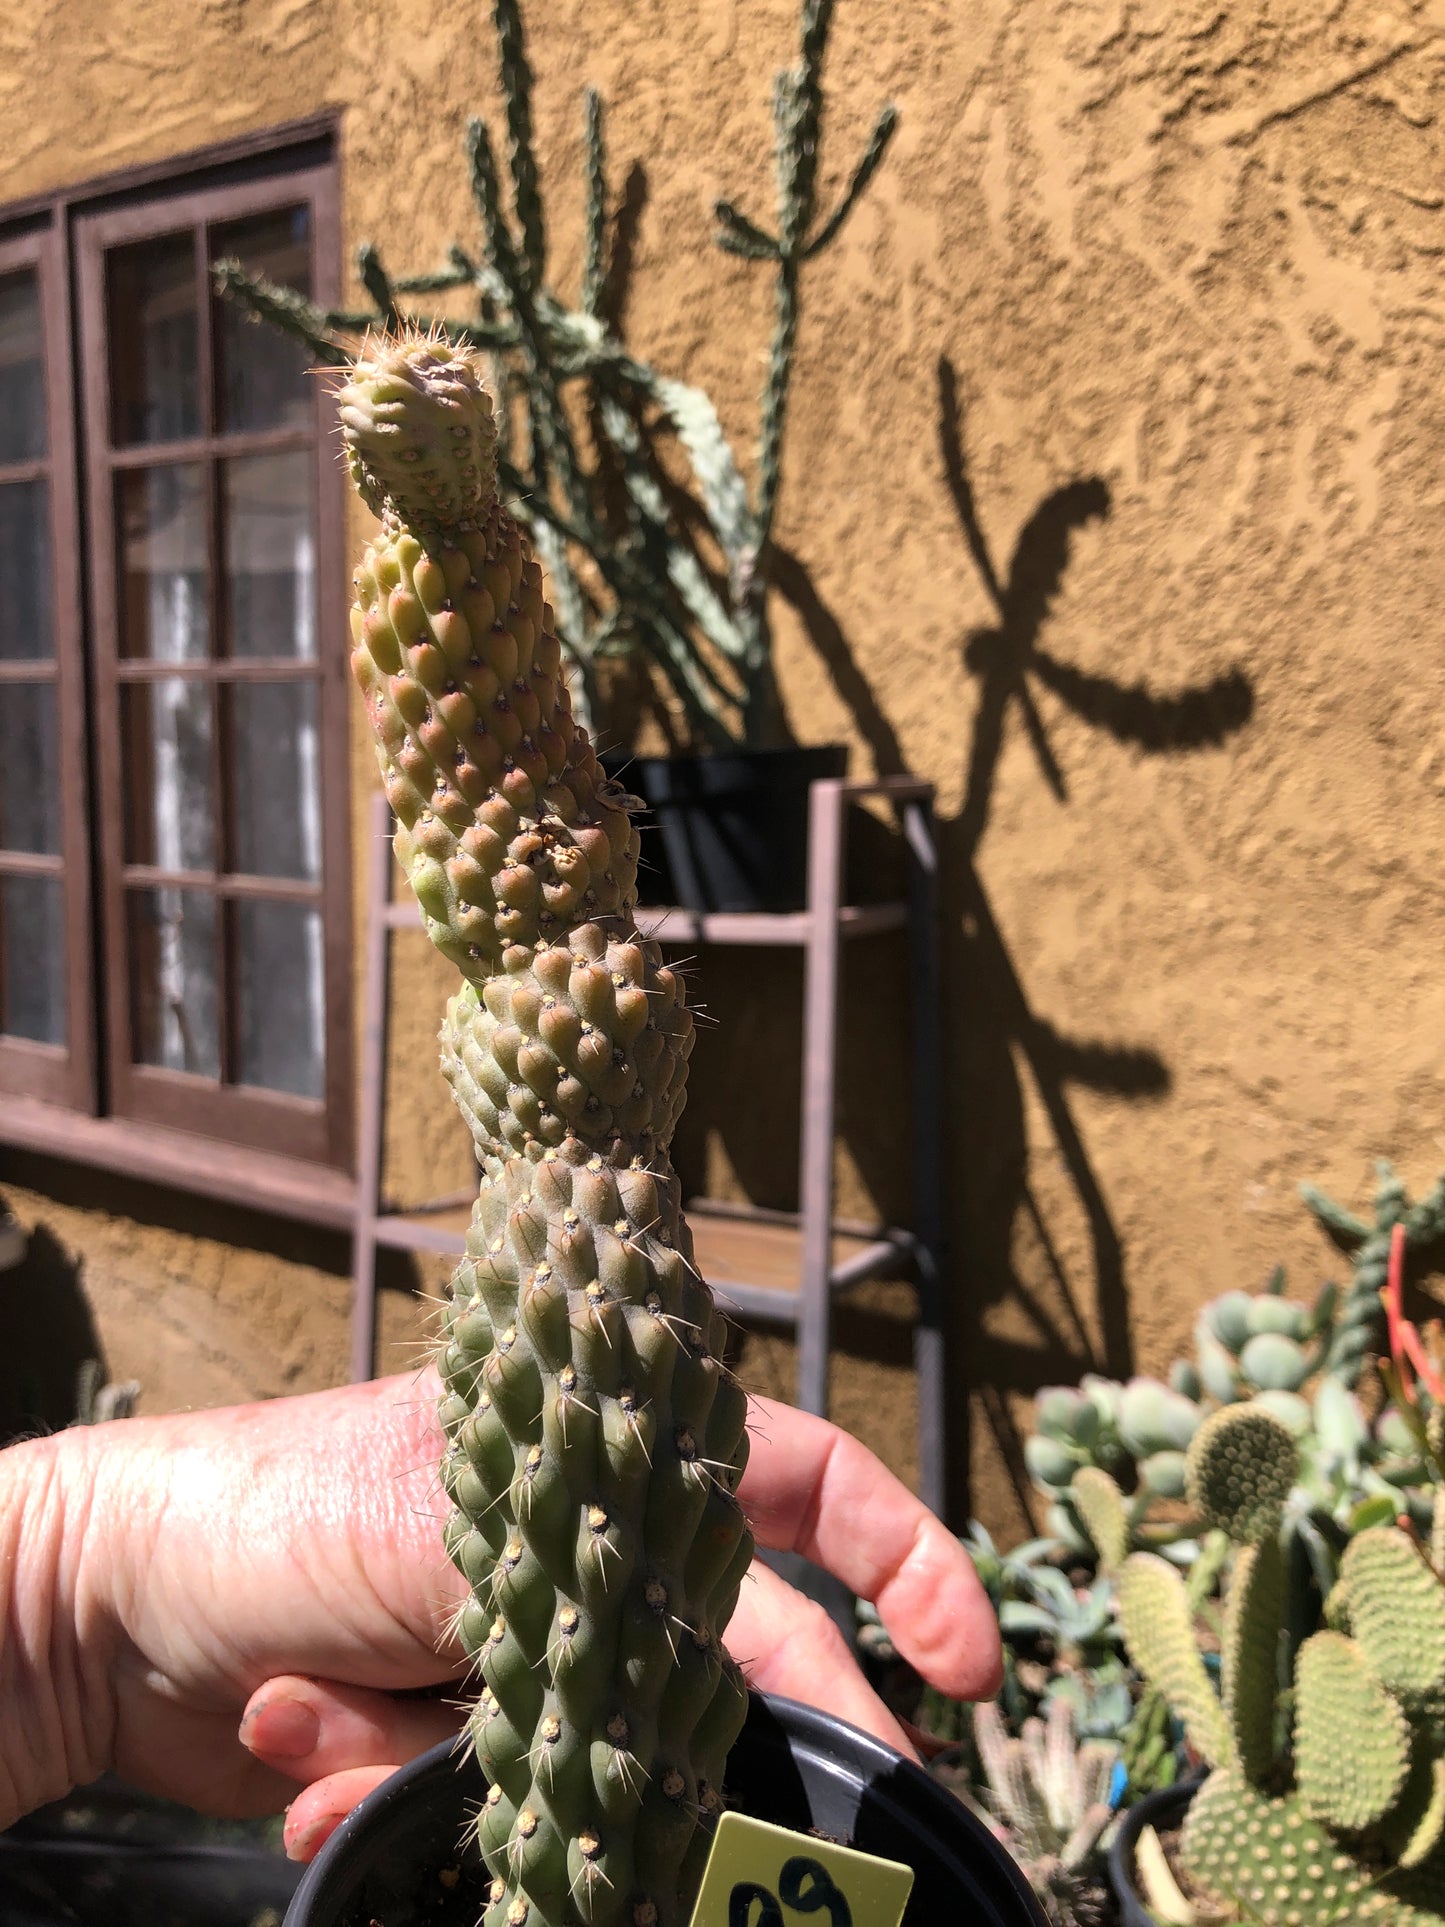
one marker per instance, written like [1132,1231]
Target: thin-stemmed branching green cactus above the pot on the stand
[633,581]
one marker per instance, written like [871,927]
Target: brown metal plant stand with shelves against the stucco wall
[768,1267]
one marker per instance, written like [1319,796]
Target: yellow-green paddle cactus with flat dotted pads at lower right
[1348,1824]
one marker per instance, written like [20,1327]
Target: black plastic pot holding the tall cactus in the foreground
[396,1862]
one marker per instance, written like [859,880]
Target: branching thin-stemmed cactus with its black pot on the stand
[644,562]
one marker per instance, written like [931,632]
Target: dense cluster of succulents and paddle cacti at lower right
[1234,1618]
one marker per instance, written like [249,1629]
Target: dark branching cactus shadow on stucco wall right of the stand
[995,1040]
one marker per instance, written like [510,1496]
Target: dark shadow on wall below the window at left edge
[47,1340]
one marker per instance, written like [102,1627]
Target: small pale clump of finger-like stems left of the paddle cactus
[1051,1791]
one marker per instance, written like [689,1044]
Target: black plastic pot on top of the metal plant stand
[733,828]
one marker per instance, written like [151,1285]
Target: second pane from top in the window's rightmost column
[271,554]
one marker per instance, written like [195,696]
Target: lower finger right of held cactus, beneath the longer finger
[787,1645]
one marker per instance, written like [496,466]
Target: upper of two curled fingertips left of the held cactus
[311,1729]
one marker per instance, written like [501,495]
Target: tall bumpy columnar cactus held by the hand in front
[596,1439]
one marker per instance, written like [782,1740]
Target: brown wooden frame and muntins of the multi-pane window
[97,1076]
